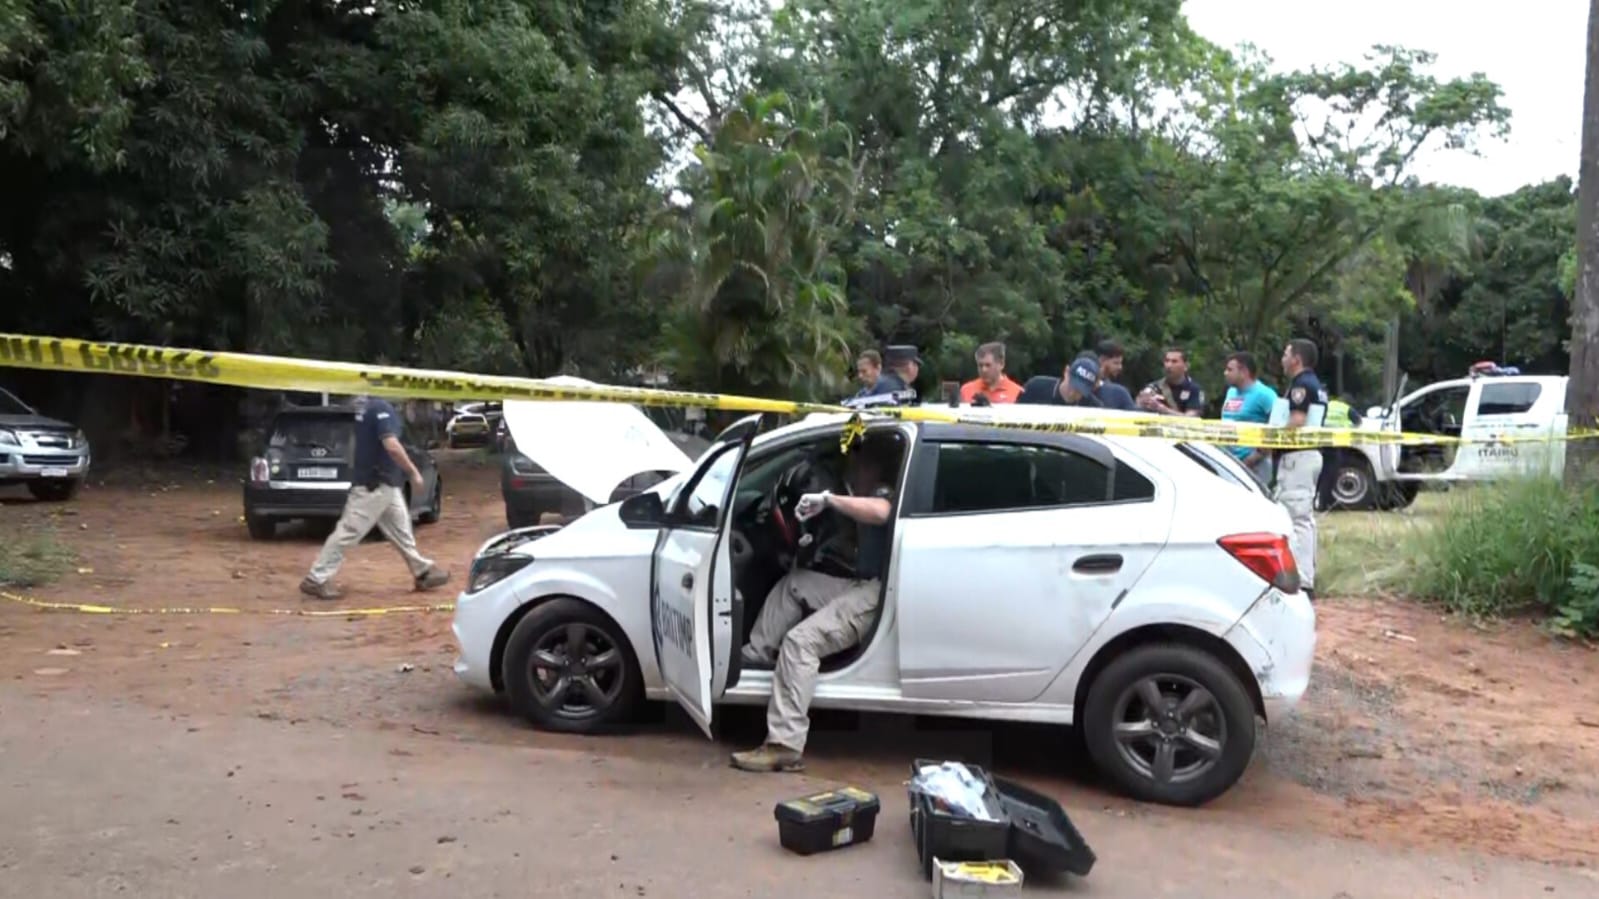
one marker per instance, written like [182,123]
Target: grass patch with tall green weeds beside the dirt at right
[1507,549]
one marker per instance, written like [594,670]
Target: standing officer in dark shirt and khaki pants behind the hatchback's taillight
[1299,471]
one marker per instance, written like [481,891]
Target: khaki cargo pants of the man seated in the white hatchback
[807,618]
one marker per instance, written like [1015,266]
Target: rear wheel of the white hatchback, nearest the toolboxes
[1128,745]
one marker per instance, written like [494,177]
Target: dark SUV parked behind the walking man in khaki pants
[306,471]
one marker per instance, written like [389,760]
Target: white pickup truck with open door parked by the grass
[1483,409]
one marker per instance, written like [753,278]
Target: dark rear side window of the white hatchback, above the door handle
[992,477]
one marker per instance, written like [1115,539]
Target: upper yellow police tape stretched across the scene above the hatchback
[284,374]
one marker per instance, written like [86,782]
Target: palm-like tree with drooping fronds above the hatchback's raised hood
[765,310]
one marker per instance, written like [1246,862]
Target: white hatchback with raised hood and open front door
[1139,589]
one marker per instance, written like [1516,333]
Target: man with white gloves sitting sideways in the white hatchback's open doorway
[821,609]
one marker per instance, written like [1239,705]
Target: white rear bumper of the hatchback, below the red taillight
[1277,637]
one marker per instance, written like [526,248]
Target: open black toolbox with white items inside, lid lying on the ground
[1032,829]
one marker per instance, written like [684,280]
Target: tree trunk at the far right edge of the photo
[1582,396]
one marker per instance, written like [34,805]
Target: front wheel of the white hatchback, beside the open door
[548,633]
